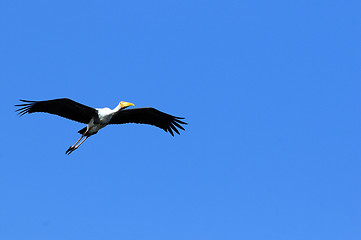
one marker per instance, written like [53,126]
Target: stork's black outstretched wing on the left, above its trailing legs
[62,107]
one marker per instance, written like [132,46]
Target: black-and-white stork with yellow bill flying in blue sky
[98,118]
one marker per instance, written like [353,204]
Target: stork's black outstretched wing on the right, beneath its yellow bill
[148,116]
